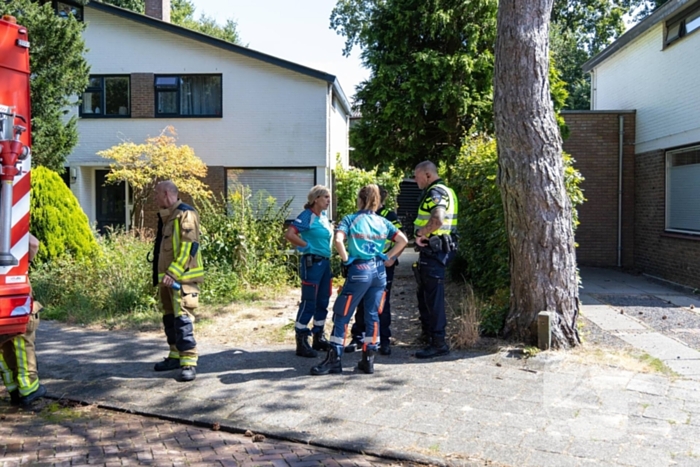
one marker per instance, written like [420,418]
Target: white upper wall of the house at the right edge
[661,85]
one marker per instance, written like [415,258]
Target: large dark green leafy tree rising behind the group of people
[431,64]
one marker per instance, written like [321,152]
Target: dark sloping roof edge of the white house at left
[245,51]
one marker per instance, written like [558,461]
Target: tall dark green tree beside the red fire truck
[59,73]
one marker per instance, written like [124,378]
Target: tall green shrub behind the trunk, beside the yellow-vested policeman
[483,255]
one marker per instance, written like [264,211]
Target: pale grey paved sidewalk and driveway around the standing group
[465,409]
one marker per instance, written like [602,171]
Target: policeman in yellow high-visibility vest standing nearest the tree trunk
[435,228]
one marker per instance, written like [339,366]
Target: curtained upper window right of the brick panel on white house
[188,96]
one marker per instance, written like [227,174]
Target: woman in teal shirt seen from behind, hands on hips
[365,277]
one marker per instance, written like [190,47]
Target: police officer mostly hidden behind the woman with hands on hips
[385,318]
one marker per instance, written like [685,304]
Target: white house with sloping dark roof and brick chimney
[276,125]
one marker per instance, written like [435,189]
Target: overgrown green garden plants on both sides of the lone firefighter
[244,257]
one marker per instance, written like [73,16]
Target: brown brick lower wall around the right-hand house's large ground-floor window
[672,257]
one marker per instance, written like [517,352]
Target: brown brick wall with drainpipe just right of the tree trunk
[594,144]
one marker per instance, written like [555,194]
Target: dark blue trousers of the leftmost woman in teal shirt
[316,286]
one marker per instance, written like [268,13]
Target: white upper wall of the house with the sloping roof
[271,116]
